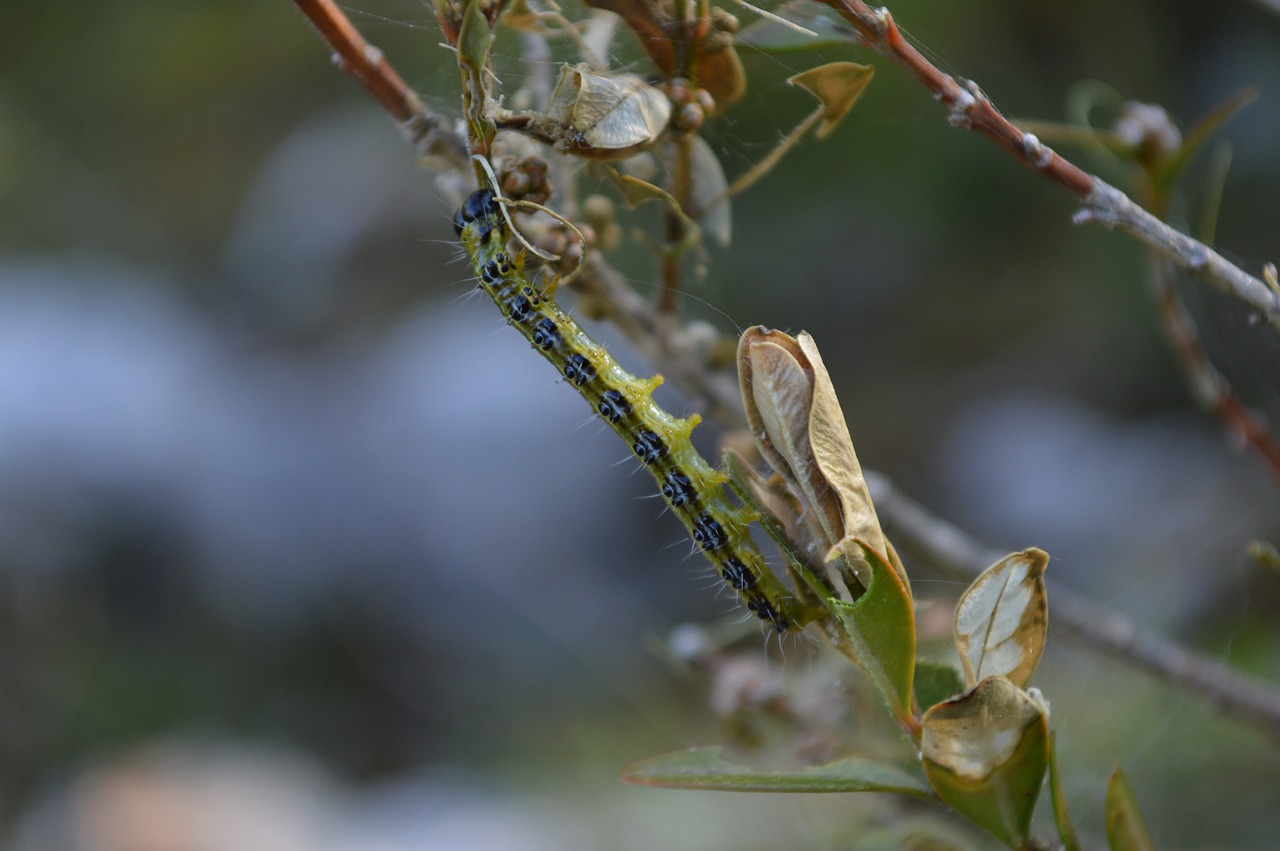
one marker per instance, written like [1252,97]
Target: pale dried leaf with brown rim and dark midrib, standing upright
[1002,620]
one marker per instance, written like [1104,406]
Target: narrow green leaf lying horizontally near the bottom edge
[706,768]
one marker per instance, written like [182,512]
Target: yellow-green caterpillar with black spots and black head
[692,488]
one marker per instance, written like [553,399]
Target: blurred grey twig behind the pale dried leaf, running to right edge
[953,550]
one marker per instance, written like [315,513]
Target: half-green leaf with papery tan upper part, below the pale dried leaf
[985,753]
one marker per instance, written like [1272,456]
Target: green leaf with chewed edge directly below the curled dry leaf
[880,625]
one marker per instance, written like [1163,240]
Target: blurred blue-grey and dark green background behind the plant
[301,548]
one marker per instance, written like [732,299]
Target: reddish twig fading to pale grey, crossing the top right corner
[1104,204]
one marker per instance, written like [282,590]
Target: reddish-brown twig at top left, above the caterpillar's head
[429,134]
